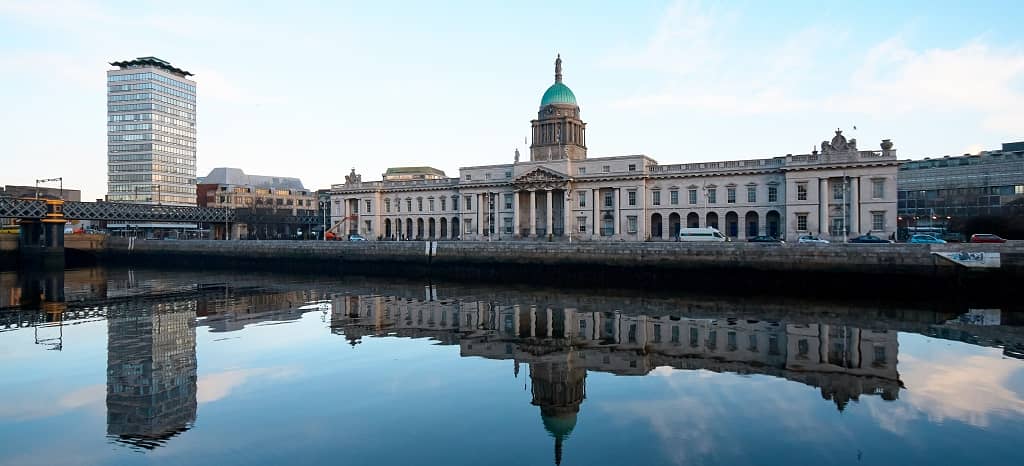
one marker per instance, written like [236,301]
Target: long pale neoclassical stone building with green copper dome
[561,194]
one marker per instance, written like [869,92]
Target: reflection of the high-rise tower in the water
[151,373]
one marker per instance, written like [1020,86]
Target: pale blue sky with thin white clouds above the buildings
[314,90]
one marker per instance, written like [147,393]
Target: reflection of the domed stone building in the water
[562,345]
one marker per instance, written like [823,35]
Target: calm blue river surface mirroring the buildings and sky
[144,367]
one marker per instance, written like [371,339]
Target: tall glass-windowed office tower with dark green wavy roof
[151,118]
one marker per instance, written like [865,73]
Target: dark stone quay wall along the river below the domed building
[735,267]
